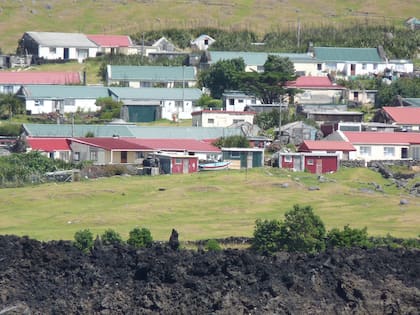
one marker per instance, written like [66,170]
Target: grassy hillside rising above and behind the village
[131,16]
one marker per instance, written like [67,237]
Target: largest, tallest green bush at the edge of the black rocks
[302,231]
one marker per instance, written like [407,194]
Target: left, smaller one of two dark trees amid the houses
[221,76]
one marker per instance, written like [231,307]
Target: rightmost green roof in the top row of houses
[342,54]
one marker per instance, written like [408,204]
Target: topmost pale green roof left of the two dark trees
[151,73]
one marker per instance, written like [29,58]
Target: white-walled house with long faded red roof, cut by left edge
[11,82]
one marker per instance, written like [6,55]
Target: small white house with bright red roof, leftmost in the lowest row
[54,148]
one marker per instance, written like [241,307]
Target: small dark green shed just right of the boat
[244,157]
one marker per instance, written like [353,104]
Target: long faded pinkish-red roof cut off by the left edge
[32,77]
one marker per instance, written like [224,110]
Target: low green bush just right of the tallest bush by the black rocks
[348,238]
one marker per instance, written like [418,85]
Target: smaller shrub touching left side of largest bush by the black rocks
[266,236]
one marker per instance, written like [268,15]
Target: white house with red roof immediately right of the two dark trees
[317,90]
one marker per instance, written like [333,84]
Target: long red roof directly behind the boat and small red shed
[191,145]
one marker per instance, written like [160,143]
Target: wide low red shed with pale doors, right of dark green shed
[316,163]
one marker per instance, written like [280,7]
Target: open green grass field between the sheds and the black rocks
[205,205]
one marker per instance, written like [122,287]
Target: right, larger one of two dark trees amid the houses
[269,86]
